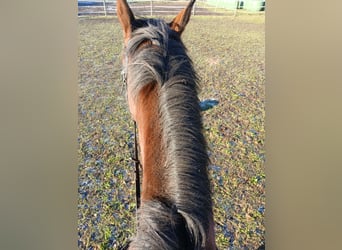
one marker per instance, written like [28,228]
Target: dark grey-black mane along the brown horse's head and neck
[185,211]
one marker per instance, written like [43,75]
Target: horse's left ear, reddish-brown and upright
[126,17]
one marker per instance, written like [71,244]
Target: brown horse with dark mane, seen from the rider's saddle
[162,86]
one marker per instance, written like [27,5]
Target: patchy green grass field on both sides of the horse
[229,55]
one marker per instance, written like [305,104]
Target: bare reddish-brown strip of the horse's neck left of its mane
[150,142]
